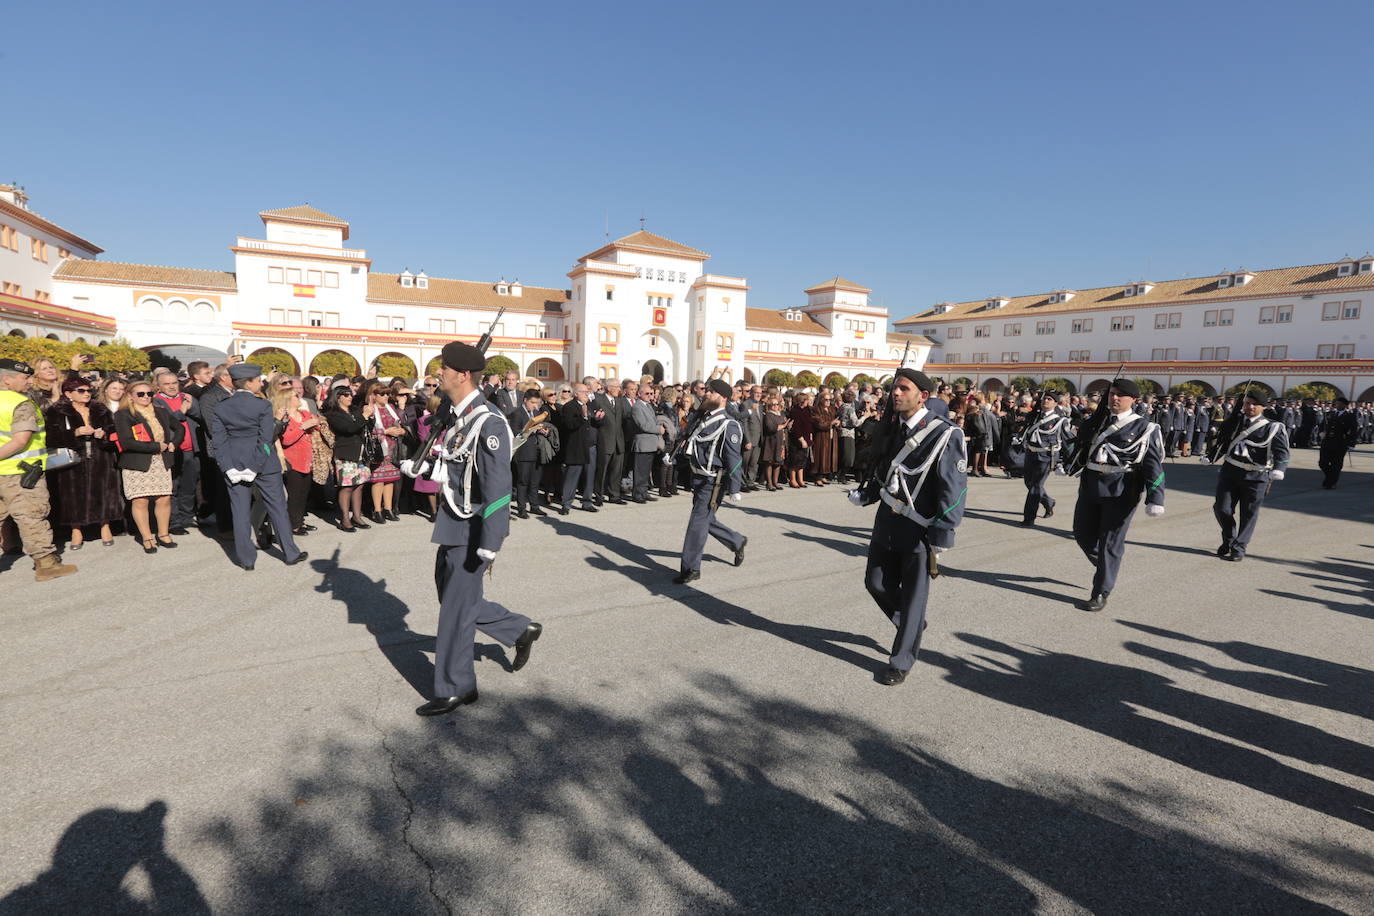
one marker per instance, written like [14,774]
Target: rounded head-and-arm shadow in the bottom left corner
[94,859]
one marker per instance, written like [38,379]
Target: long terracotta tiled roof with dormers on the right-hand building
[1296,282]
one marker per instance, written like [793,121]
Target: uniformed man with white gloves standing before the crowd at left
[244,442]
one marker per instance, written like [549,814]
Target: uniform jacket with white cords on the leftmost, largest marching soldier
[490,498]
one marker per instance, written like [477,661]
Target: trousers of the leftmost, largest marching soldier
[462,612]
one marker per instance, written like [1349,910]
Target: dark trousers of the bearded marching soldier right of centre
[899,583]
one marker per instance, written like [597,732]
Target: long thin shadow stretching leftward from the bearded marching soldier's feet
[644,569]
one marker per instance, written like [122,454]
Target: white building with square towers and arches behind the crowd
[638,306]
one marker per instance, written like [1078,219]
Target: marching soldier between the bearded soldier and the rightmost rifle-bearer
[1126,459]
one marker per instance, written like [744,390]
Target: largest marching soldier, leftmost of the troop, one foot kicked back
[472,462]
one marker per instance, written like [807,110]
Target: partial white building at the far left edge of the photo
[31,248]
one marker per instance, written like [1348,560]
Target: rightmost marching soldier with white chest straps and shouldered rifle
[1255,455]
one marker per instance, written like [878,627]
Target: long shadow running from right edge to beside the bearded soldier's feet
[1104,698]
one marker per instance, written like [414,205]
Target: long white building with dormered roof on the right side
[1283,328]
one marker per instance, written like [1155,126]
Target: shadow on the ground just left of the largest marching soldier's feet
[384,616]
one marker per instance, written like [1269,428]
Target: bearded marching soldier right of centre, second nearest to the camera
[920,483]
